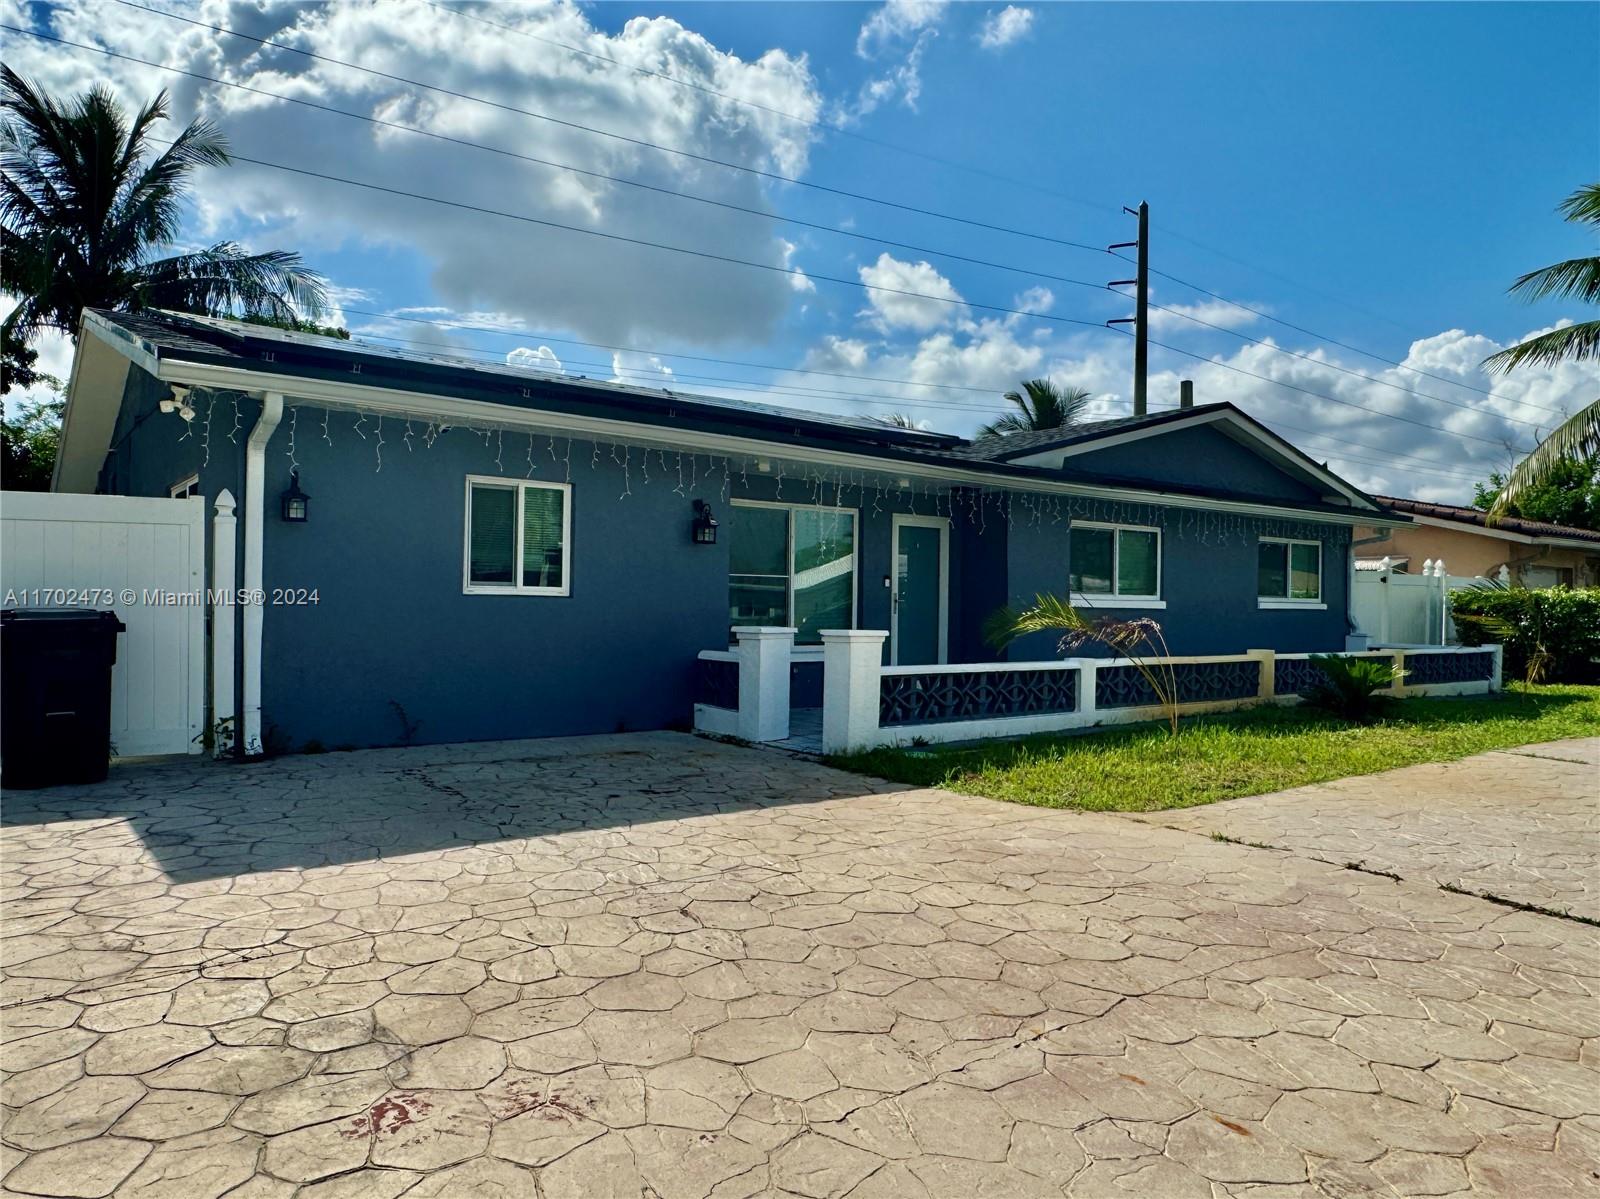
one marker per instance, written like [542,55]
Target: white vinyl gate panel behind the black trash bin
[143,559]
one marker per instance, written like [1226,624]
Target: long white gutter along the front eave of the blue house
[450,411]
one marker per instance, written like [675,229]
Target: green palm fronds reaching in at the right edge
[1580,278]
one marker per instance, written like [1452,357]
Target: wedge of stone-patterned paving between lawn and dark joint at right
[1522,825]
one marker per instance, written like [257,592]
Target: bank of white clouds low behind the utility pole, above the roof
[1438,452]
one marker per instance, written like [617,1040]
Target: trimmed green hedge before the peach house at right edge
[1556,633]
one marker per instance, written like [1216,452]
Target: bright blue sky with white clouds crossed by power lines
[1374,174]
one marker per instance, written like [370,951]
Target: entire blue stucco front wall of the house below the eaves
[393,627]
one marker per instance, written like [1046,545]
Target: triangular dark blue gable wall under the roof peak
[1196,459]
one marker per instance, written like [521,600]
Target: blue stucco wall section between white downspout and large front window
[393,627]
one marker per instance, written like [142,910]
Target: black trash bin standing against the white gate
[55,684]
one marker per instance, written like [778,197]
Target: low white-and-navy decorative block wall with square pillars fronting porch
[866,705]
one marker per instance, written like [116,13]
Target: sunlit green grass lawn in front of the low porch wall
[1143,768]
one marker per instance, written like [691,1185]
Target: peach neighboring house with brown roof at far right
[1534,553]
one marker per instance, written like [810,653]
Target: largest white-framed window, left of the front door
[793,566]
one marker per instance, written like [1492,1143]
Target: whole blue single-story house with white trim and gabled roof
[505,553]
